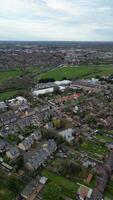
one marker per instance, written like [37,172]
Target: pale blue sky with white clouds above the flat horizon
[56,20]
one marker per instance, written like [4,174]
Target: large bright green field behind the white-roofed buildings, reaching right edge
[78,72]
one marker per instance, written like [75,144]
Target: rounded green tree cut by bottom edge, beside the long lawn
[52,192]
